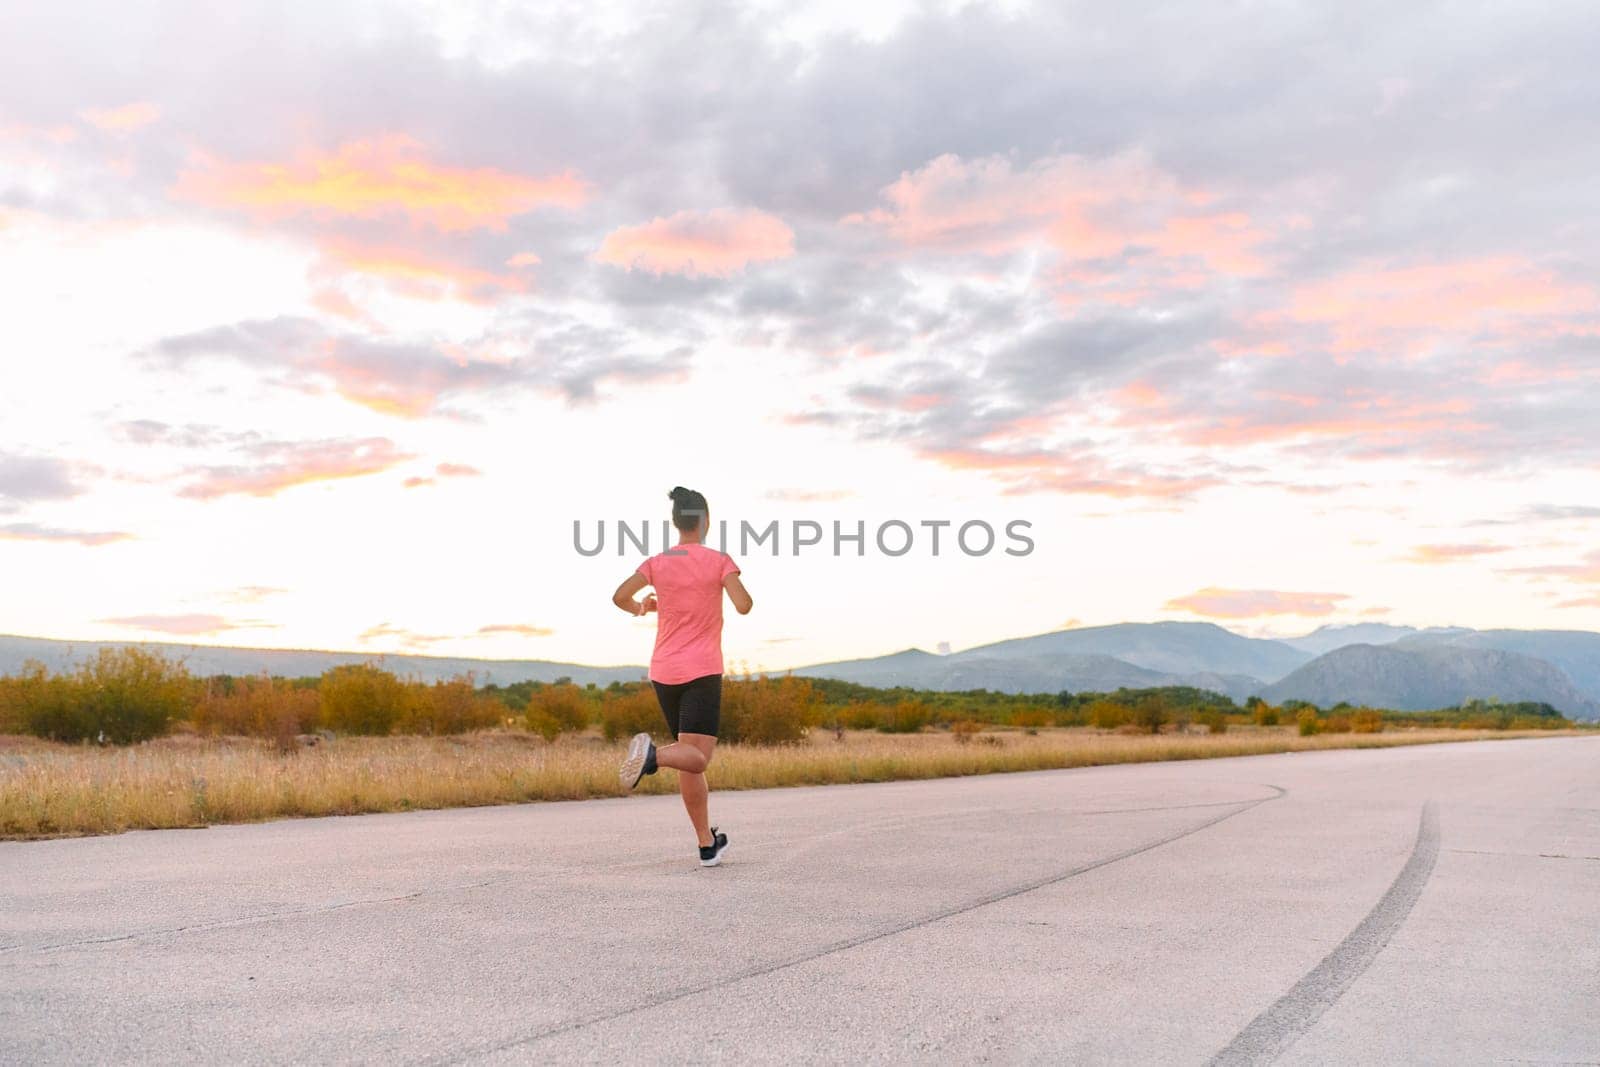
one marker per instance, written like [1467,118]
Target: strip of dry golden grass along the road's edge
[52,789]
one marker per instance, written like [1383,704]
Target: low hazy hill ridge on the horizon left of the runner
[215,660]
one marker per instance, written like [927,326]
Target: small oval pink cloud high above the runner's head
[700,244]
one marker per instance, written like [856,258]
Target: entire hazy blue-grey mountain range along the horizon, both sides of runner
[1382,665]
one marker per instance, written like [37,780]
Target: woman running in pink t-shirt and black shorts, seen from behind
[687,665]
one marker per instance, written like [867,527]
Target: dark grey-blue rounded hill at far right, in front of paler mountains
[1425,677]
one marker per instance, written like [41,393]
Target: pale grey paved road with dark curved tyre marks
[1433,905]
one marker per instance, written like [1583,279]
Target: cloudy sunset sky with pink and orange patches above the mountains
[326,322]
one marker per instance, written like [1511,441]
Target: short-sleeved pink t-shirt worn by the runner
[689,604]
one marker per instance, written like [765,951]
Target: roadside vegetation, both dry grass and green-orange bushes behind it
[134,741]
